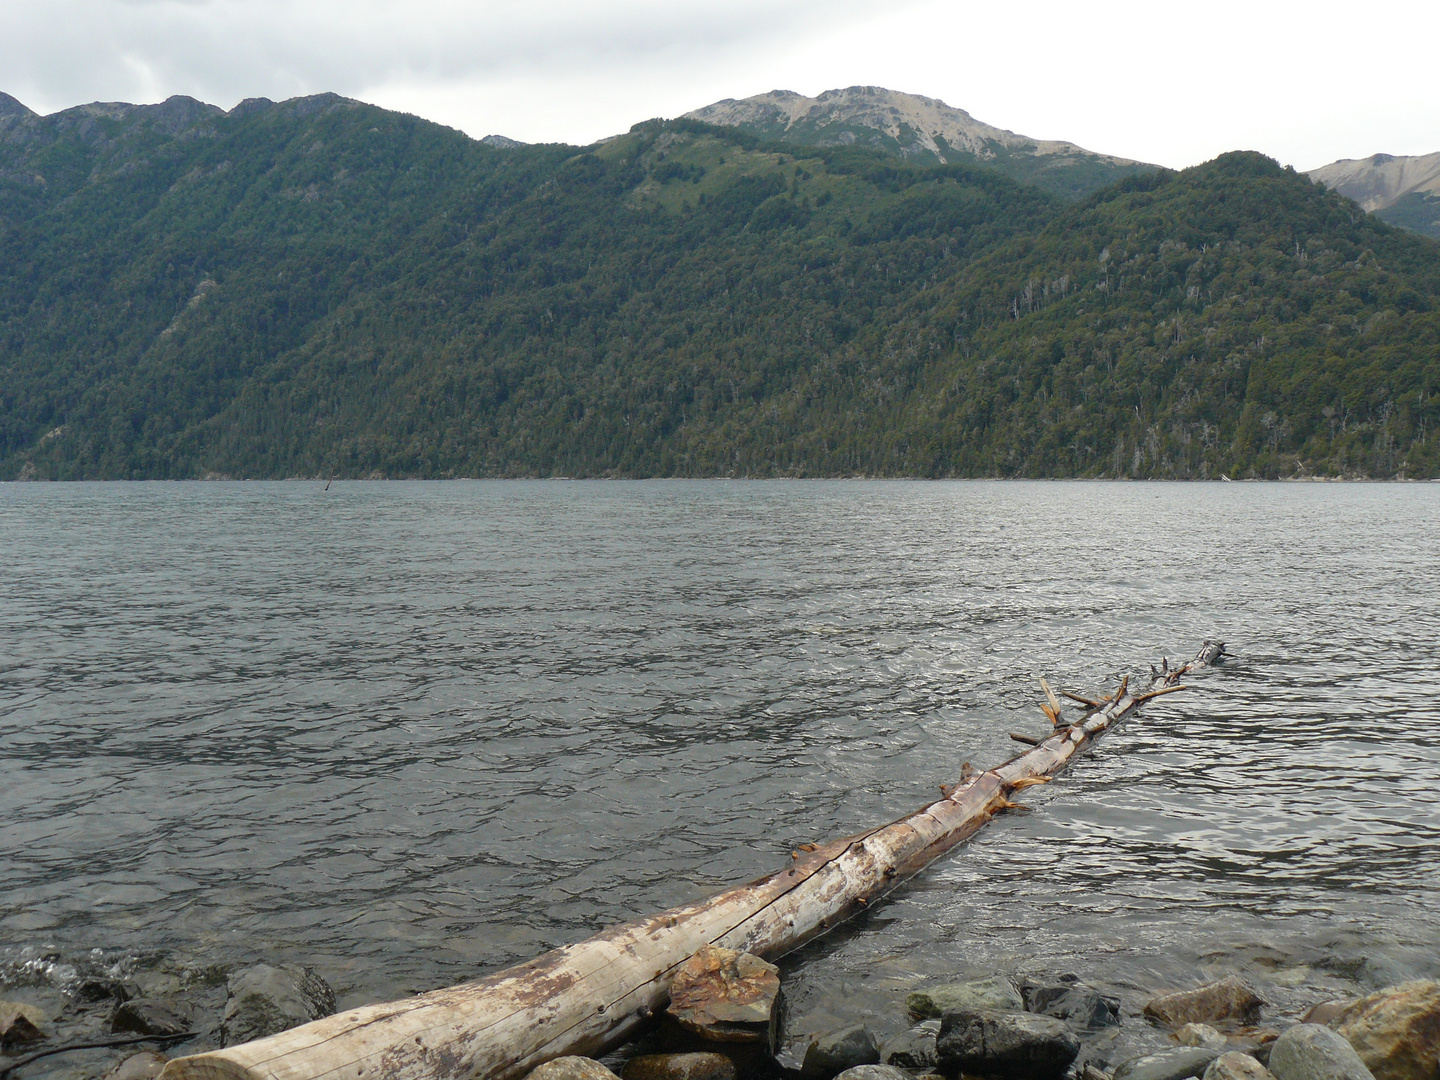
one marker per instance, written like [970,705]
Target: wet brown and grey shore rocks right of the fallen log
[1056,1030]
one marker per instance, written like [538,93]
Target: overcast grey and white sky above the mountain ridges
[1156,80]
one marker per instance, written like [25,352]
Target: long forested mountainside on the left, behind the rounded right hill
[322,286]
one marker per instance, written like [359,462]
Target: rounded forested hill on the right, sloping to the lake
[1232,319]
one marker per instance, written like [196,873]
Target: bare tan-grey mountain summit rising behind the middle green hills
[921,130]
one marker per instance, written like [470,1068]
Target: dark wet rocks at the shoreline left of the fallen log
[258,1002]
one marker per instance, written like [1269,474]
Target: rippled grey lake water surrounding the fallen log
[410,734]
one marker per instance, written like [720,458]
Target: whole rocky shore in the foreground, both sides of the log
[729,1020]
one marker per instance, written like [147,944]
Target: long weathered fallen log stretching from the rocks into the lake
[594,996]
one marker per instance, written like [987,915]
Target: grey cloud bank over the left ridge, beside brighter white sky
[67,53]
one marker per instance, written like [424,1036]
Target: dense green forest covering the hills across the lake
[328,289]
